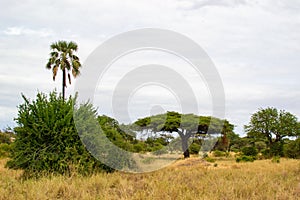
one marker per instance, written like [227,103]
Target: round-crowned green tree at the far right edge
[274,126]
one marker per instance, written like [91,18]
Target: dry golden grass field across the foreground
[185,179]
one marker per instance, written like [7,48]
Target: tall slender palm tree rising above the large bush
[62,57]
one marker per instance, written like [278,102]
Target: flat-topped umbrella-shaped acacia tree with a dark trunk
[186,125]
